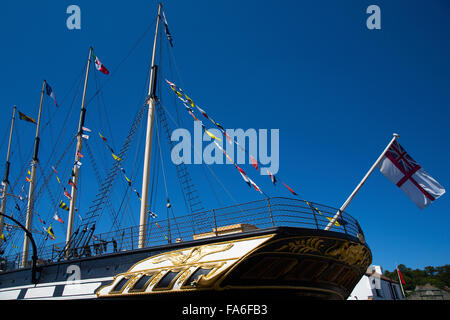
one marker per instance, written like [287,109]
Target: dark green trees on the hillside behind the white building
[436,276]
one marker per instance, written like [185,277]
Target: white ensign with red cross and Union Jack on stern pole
[409,176]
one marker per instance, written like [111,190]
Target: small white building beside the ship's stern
[375,286]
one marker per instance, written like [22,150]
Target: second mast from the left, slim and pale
[34,162]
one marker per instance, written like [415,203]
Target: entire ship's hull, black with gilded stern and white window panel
[279,262]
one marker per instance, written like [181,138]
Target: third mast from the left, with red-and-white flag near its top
[77,157]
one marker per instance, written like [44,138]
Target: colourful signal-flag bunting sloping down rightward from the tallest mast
[190,105]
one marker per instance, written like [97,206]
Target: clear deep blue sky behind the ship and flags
[335,90]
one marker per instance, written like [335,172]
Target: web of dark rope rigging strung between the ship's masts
[58,164]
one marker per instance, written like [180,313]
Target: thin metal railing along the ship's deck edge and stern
[270,212]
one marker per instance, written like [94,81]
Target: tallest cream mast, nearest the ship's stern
[148,143]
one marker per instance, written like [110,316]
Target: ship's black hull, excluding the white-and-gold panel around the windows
[326,268]
